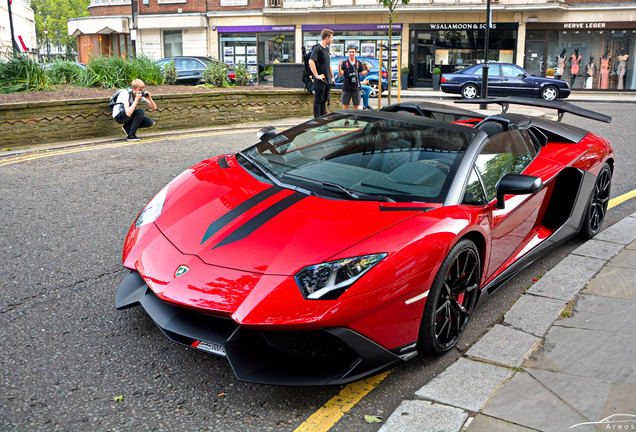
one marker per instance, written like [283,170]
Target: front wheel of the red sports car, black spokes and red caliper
[451,299]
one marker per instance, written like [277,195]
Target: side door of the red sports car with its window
[508,152]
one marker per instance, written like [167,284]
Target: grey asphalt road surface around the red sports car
[70,361]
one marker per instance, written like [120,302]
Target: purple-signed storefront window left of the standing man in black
[257,46]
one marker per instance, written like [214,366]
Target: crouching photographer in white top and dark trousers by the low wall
[125,111]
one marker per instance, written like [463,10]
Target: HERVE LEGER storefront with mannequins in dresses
[588,55]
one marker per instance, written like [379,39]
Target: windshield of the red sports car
[365,157]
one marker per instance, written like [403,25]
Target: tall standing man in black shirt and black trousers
[321,69]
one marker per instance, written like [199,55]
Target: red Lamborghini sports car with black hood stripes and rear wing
[352,242]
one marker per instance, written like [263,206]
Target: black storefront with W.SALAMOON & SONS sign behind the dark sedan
[452,46]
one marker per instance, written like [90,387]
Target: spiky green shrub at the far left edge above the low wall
[20,73]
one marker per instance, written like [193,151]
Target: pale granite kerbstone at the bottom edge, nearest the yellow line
[419,416]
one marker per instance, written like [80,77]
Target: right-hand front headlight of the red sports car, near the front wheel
[327,281]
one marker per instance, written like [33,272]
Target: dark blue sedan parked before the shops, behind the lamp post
[504,79]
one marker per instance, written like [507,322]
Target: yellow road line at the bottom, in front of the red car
[327,416]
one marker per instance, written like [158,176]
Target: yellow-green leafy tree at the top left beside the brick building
[52,15]
